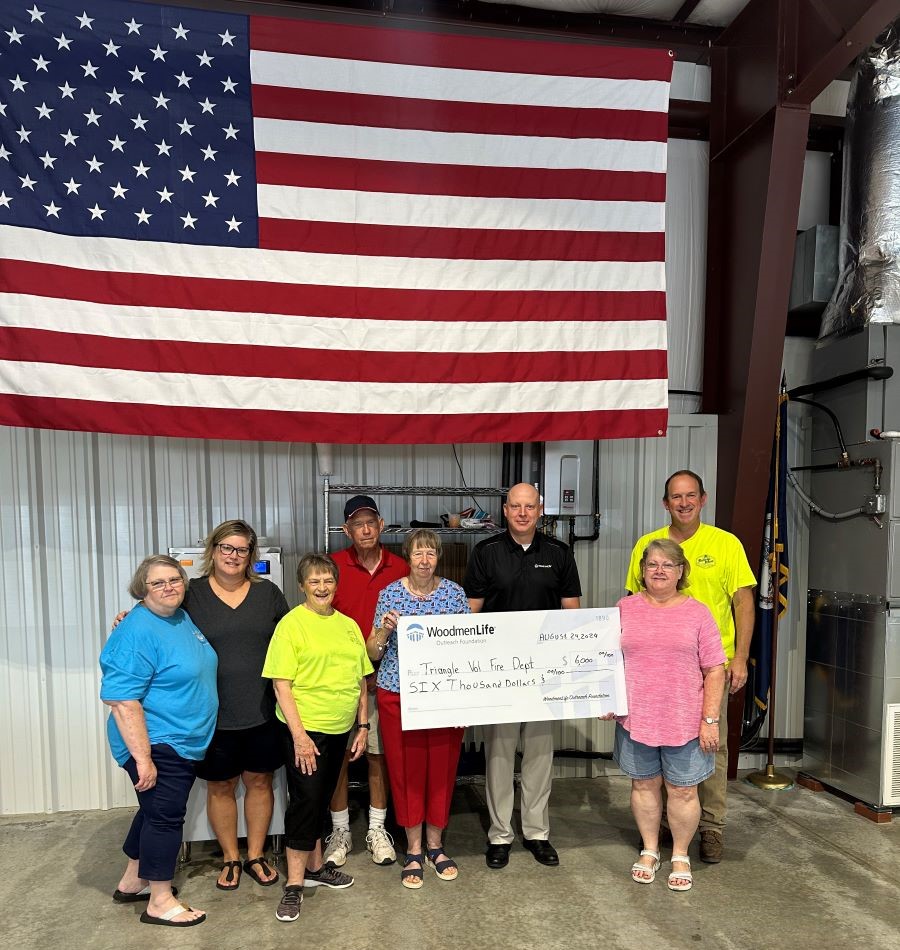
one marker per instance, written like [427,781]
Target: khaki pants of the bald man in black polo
[537,773]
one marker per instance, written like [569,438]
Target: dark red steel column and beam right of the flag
[766,68]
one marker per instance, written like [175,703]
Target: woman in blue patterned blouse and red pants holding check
[422,762]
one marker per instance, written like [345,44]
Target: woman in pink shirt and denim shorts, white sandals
[674,677]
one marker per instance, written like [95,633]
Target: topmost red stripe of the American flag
[372,44]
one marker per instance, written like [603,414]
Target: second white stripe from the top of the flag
[456,148]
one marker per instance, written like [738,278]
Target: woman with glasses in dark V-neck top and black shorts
[237,611]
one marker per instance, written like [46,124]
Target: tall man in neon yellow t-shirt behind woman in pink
[722,579]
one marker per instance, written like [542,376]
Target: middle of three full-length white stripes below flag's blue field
[353,335]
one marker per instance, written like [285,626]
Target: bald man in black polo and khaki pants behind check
[522,569]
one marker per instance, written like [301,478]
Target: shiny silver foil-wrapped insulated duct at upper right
[868,287]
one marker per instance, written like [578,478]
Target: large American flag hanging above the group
[302,231]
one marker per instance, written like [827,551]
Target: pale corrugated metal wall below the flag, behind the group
[79,511]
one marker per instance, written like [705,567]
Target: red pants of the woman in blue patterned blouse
[421,766]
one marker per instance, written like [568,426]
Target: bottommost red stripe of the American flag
[270,425]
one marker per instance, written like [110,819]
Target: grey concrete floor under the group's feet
[801,869]
